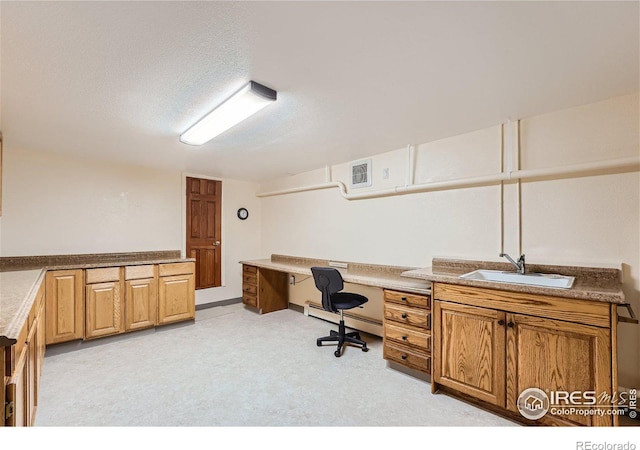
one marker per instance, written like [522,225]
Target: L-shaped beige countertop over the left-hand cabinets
[18,288]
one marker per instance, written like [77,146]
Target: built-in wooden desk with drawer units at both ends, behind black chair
[398,308]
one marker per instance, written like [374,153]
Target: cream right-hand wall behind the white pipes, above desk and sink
[591,221]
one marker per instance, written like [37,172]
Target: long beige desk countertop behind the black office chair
[387,277]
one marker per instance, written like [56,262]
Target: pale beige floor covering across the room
[233,367]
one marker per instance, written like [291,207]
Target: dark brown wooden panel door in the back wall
[204,239]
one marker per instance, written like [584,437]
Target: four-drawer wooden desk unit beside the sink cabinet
[407,330]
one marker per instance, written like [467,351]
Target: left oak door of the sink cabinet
[469,350]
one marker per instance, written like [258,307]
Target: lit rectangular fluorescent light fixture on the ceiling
[244,103]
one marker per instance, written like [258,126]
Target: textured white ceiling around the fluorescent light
[121,80]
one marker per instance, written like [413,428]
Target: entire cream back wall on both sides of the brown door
[55,204]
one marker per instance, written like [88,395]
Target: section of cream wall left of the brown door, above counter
[56,204]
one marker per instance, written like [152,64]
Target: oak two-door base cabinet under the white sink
[490,346]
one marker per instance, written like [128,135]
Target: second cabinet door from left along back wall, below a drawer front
[104,309]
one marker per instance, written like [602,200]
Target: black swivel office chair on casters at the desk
[329,281]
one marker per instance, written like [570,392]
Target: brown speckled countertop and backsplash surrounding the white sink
[591,283]
